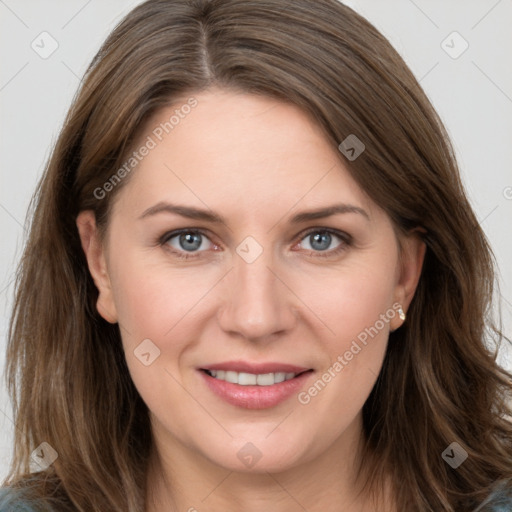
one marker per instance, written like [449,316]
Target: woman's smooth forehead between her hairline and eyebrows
[235,149]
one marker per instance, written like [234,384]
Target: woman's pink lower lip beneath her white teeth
[255,397]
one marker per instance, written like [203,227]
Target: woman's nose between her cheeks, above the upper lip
[258,303]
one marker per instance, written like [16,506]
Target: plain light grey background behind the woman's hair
[472,92]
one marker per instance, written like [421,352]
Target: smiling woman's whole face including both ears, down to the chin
[256,289]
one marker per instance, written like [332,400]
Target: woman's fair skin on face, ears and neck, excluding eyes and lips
[257,162]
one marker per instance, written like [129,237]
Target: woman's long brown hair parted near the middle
[440,382]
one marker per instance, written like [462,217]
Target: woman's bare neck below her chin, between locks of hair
[180,479]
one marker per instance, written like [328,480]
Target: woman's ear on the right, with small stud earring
[412,255]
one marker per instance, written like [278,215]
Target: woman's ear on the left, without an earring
[94,250]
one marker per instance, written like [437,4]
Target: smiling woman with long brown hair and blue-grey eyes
[176,346]
